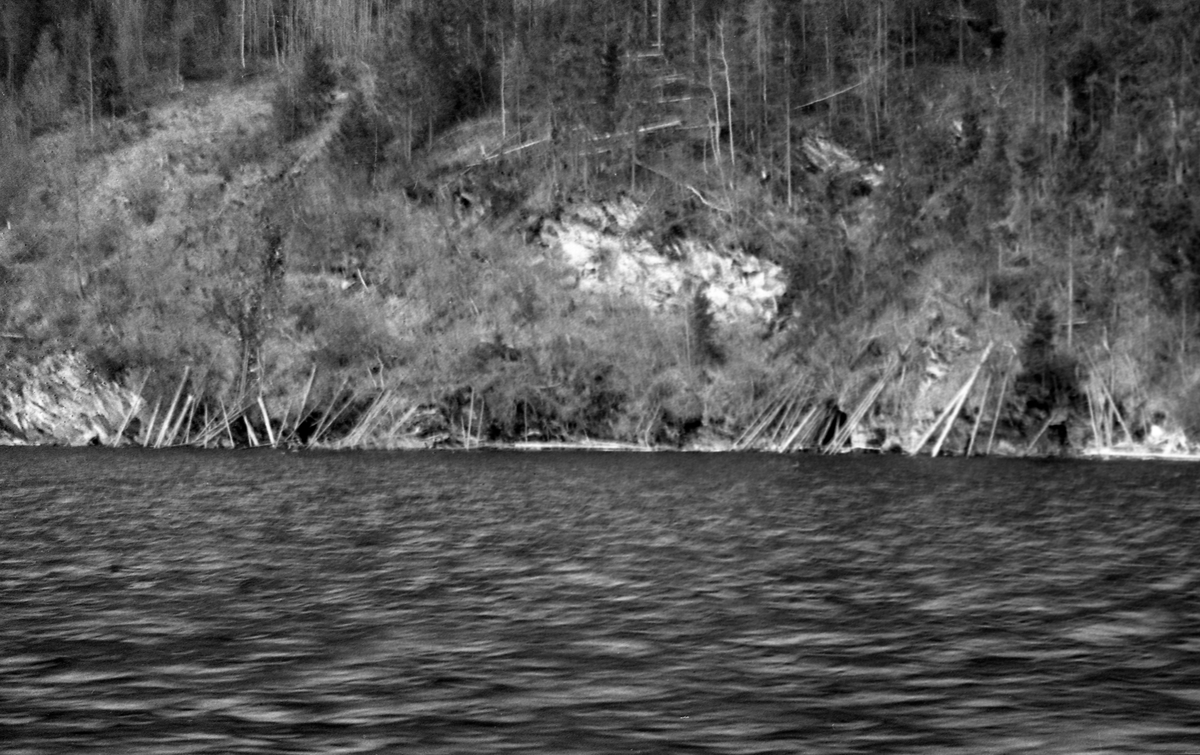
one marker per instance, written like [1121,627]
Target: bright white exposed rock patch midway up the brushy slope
[597,241]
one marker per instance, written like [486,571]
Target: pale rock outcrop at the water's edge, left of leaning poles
[61,402]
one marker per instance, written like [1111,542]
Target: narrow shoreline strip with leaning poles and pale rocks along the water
[59,402]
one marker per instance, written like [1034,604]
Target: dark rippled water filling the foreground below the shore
[571,603]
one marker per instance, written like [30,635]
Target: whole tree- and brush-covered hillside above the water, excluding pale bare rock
[338,221]
